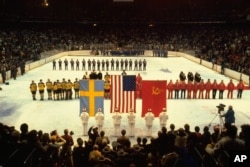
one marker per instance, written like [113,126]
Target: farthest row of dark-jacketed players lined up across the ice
[108,64]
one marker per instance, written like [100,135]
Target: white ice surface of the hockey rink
[17,106]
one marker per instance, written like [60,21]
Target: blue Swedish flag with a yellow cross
[91,95]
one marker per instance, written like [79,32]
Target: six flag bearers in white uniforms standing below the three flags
[117,117]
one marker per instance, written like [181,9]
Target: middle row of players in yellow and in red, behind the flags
[180,89]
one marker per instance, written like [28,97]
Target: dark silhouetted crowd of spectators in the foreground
[172,147]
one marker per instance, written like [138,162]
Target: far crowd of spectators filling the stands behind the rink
[225,44]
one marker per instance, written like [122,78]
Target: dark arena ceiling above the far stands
[133,10]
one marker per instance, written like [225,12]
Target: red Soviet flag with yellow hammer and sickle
[153,96]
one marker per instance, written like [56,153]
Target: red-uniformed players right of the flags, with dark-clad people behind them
[196,88]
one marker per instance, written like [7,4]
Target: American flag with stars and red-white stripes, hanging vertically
[123,94]
